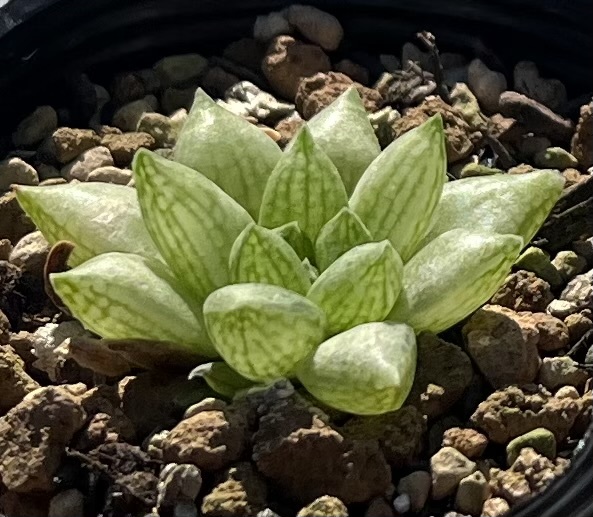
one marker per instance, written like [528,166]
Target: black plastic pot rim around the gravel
[43,43]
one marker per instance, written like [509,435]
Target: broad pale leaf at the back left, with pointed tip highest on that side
[228,150]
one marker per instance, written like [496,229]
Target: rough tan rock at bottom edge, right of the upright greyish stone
[242,493]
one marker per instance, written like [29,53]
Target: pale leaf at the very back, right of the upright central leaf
[344,132]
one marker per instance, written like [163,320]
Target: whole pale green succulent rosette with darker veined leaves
[319,263]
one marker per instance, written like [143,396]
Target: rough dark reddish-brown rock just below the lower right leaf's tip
[523,291]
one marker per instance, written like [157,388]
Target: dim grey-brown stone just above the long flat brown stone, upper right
[550,92]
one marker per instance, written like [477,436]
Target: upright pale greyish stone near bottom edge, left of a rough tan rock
[178,482]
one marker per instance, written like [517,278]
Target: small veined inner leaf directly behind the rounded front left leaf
[261,256]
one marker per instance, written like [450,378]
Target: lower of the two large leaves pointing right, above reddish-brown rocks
[452,276]
